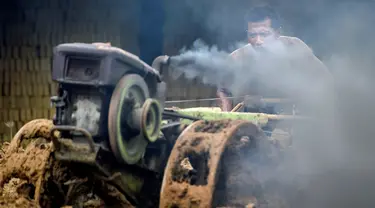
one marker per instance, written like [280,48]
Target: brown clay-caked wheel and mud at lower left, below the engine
[31,177]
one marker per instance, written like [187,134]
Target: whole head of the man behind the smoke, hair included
[262,25]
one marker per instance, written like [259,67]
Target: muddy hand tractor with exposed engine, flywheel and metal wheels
[111,126]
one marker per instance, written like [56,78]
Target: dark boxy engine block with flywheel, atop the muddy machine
[107,99]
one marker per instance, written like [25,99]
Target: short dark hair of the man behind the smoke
[258,14]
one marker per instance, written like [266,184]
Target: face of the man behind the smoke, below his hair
[260,32]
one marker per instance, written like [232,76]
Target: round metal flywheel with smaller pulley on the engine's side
[129,120]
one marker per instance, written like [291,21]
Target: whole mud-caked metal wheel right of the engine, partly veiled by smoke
[213,164]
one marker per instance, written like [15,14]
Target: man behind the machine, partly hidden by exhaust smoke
[263,35]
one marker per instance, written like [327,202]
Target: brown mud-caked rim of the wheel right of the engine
[201,145]
